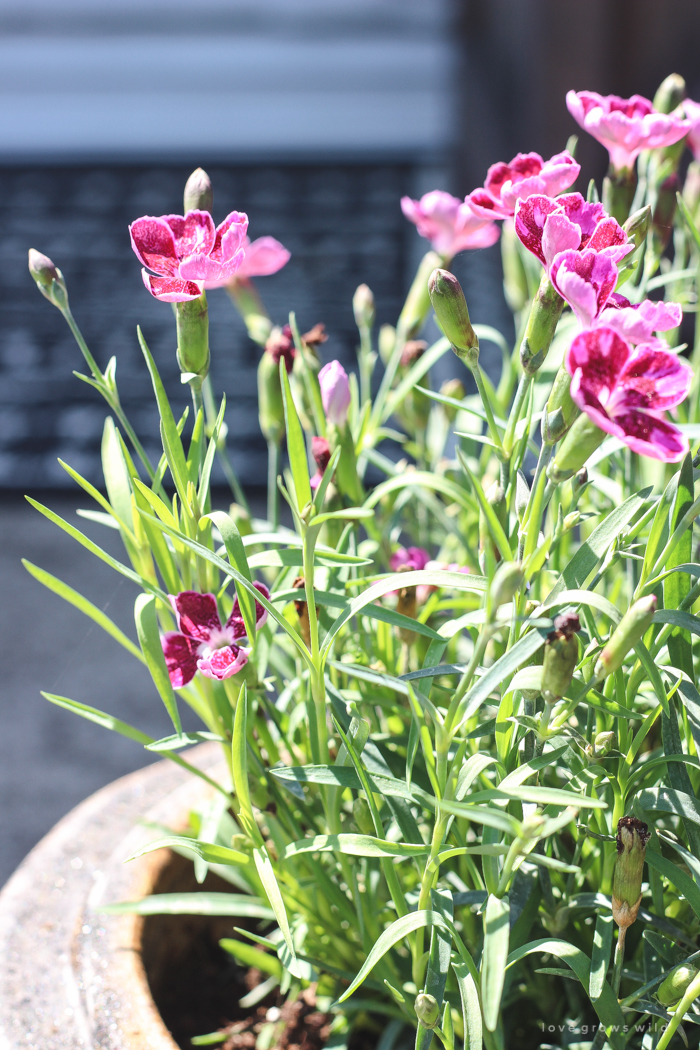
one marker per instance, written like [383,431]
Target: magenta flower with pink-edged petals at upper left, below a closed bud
[188,253]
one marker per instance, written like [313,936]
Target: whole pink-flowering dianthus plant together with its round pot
[446,787]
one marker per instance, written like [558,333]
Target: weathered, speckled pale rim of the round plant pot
[70,977]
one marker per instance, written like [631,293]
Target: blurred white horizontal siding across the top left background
[242,78]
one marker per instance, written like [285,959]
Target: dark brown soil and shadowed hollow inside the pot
[197,986]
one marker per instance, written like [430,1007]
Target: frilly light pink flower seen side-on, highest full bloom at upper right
[625,127]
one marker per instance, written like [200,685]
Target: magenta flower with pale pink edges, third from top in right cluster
[547,227]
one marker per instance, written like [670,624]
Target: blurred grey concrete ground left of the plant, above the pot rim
[50,759]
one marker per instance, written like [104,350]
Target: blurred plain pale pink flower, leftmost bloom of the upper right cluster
[451,225]
